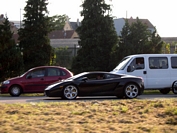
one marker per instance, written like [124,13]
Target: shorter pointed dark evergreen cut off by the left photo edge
[11,62]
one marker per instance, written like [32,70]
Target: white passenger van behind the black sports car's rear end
[159,71]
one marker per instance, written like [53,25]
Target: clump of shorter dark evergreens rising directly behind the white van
[136,39]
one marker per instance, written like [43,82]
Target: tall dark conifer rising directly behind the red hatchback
[34,41]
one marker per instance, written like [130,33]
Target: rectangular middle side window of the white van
[158,62]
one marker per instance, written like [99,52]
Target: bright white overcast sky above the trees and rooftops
[161,13]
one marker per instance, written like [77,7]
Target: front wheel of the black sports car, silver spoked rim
[70,92]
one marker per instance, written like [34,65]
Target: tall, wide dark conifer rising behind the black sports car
[97,37]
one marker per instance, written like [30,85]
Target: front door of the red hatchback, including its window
[35,81]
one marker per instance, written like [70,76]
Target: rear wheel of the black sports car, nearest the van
[131,91]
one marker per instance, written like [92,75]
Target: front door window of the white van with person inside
[137,63]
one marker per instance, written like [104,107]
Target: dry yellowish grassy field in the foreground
[110,116]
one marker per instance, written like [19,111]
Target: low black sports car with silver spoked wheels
[97,84]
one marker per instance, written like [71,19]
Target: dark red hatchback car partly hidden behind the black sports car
[34,80]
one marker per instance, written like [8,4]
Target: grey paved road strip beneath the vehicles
[27,99]
